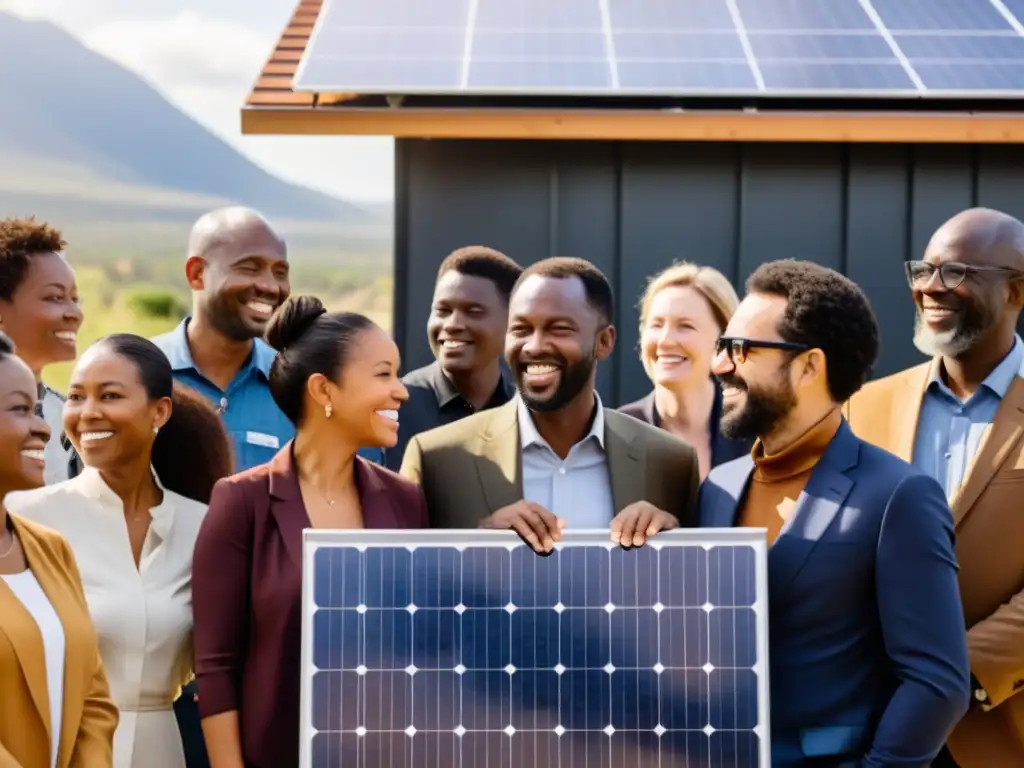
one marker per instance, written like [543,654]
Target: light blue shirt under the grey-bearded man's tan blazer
[950,431]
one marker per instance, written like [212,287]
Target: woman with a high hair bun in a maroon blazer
[336,377]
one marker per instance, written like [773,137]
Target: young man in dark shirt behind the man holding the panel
[466,331]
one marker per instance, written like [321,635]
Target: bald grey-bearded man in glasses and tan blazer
[960,418]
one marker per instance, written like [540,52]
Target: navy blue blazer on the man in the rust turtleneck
[868,661]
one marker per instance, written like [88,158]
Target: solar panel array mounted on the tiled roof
[668,48]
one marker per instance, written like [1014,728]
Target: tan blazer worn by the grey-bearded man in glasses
[989,515]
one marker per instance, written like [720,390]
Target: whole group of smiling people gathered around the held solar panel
[152,517]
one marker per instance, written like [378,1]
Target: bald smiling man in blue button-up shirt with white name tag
[238,272]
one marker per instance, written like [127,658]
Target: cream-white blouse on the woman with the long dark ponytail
[143,616]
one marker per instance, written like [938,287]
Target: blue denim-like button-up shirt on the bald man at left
[258,426]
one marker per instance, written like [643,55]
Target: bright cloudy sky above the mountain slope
[204,56]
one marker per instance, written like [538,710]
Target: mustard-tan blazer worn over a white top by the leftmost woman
[90,716]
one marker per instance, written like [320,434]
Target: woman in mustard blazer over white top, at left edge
[49,652]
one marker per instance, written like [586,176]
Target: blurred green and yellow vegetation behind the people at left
[146,293]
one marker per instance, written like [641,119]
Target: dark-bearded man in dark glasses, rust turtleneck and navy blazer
[868,657]
